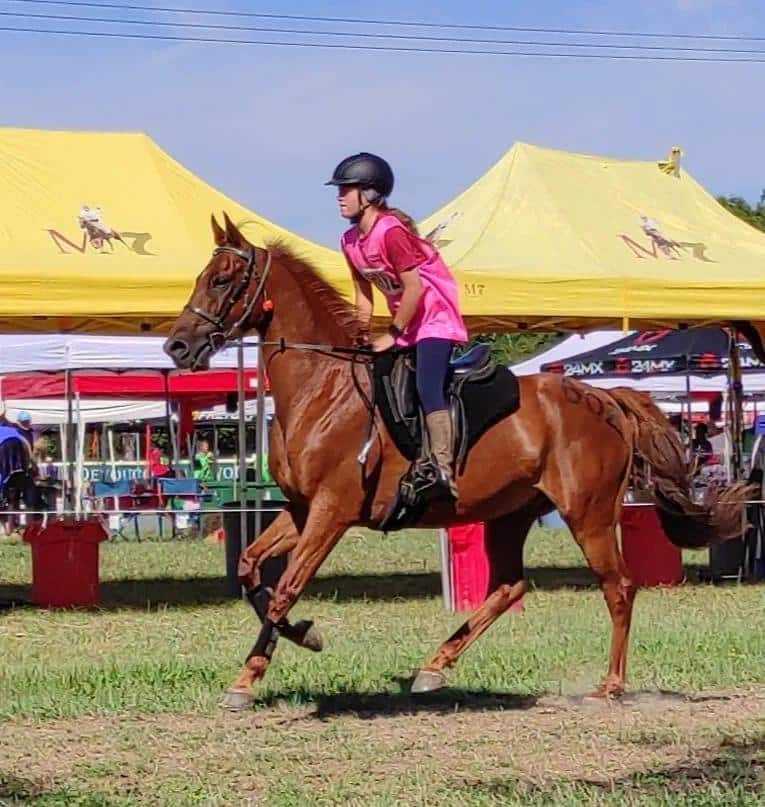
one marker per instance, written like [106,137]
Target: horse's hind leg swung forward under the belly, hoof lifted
[504,539]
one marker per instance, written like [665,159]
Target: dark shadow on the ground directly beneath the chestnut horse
[367,705]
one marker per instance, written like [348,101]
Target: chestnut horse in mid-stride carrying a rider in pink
[569,447]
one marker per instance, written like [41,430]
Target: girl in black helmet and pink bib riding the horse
[383,249]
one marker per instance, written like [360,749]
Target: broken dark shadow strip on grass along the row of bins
[187,592]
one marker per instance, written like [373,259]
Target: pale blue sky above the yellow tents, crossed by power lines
[267,125]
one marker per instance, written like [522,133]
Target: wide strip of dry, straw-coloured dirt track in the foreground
[362,743]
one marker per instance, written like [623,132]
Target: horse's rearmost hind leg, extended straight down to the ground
[604,558]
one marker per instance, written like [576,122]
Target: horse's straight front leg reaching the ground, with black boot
[324,527]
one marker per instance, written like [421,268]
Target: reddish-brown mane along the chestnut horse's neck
[332,310]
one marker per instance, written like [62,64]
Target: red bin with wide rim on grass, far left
[65,563]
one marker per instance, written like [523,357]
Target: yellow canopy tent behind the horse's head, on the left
[105,232]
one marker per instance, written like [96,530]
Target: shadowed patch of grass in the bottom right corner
[733,774]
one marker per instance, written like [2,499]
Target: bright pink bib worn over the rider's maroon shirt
[438,315]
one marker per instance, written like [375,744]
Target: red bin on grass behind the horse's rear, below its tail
[650,557]
